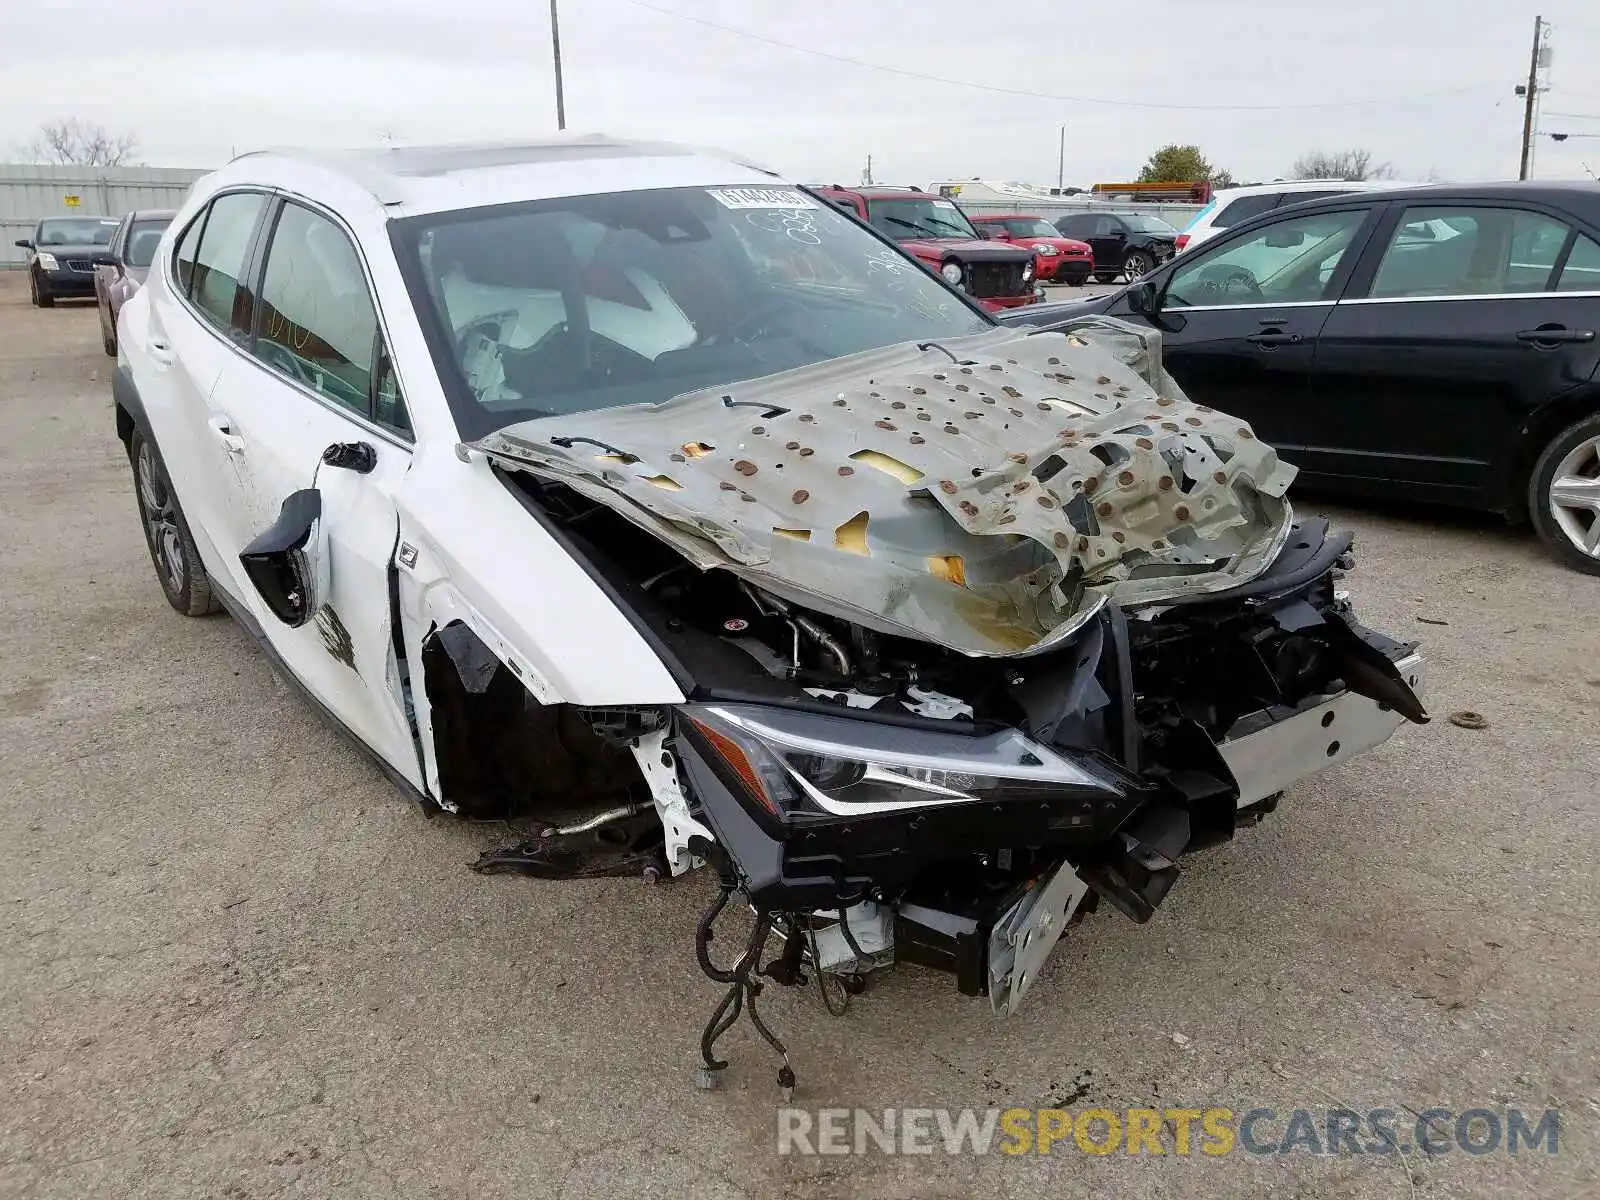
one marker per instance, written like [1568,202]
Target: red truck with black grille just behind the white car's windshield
[940,236]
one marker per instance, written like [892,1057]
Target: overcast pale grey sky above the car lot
[1431,81]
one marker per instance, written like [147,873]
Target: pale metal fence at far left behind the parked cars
[30,193]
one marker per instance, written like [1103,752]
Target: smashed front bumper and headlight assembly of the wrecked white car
[873,842]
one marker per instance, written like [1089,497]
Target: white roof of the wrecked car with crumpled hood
[409,180]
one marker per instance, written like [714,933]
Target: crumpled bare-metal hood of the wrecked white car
[986,494]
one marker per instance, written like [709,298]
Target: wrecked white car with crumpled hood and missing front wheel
[646,495]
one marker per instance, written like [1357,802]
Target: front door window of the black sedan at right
[1282,263]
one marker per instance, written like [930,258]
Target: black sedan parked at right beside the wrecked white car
[1430,343]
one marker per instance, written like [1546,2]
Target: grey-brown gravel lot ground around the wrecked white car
[236,964]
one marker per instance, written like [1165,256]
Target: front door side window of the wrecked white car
[318,318]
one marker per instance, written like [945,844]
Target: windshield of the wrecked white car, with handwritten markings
[583,303]
